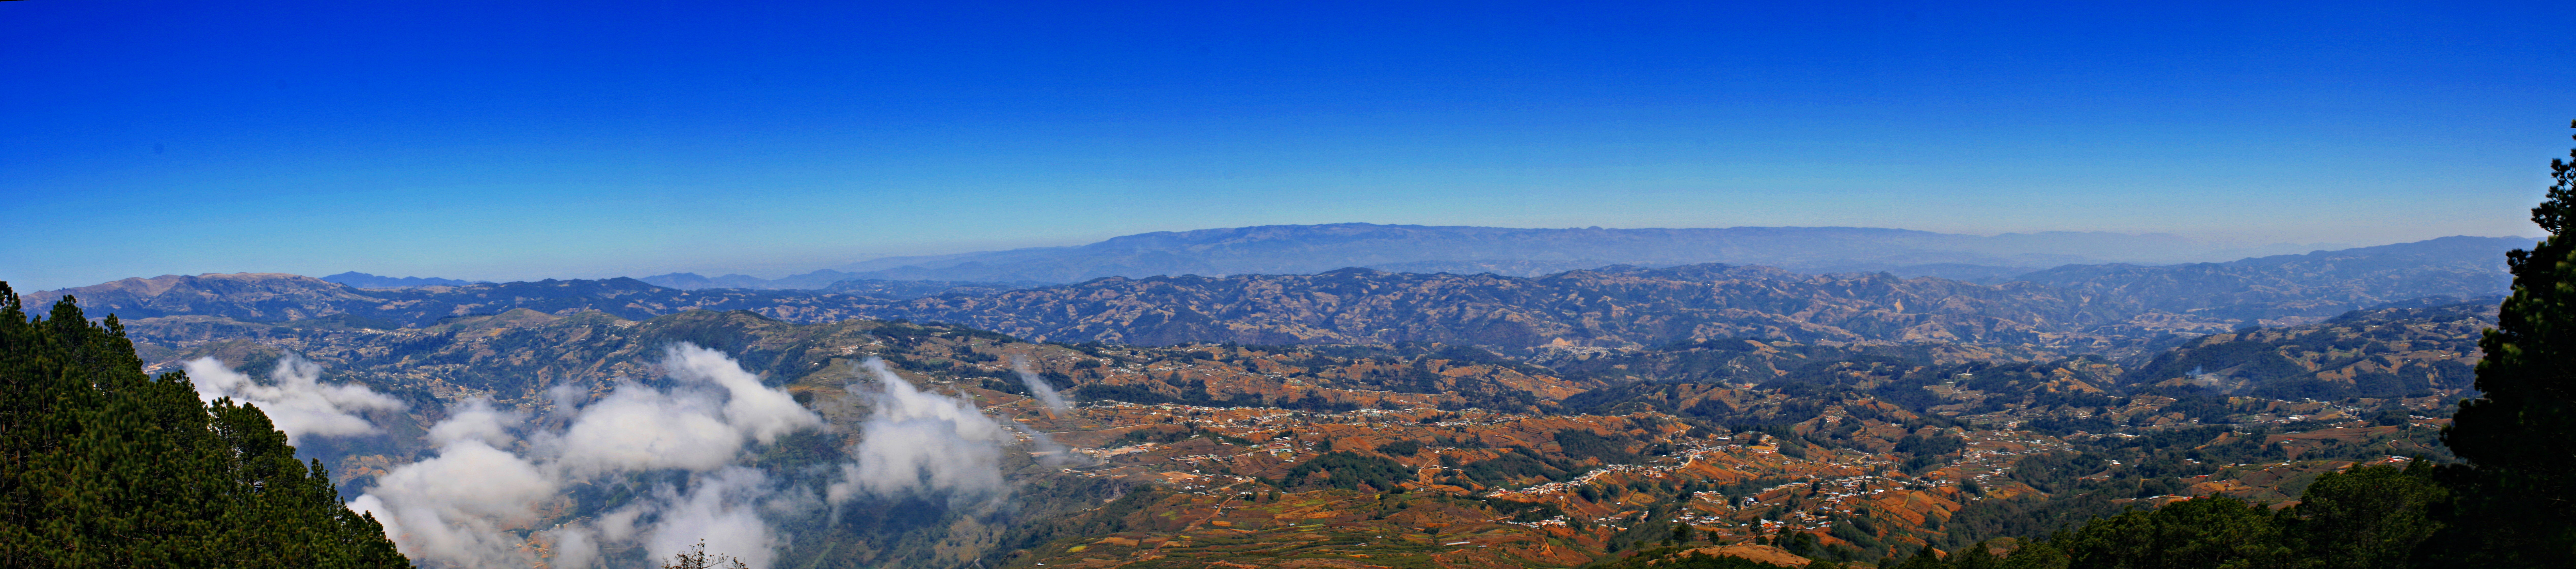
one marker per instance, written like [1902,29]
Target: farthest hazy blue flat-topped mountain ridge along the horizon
[1408,248]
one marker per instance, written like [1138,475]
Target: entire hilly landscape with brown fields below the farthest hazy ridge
[1395,418]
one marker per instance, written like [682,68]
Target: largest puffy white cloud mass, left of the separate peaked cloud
[460,508]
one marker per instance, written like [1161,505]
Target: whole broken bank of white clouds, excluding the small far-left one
[473,501]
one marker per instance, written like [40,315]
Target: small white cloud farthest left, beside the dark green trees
[295,398]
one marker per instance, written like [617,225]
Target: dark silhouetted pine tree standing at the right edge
[2518,496]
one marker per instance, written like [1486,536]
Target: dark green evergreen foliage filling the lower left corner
[109,467]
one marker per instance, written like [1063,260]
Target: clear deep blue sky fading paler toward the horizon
[529,140]
